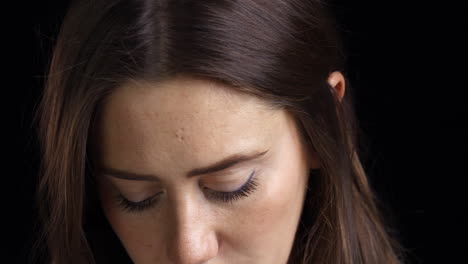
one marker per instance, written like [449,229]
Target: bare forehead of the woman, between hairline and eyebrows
[189,121]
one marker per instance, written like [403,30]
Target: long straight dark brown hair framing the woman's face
[281,51]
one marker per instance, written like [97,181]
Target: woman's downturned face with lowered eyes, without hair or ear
[193,172]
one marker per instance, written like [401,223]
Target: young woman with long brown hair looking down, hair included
[203,132]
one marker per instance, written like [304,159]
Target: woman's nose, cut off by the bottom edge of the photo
[193,239]
